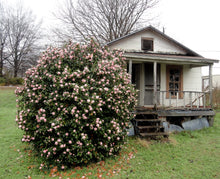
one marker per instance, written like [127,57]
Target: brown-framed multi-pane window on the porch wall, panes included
[174,81]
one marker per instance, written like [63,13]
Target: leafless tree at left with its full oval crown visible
[23,35]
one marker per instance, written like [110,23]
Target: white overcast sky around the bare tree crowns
[194,23]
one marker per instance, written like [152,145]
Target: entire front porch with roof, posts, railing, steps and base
[170,93]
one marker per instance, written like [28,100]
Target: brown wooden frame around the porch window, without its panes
[174,67]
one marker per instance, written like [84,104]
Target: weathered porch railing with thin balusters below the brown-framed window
[192,99]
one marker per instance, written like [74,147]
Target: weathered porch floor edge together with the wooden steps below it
[149,121]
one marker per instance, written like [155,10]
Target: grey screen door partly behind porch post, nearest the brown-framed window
[149,82]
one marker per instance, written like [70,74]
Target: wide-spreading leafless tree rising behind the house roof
[104,20]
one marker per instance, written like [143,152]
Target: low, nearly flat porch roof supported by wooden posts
[195,61]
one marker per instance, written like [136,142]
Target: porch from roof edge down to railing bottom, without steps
[168,84]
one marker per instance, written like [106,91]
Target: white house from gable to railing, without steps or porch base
[165,72]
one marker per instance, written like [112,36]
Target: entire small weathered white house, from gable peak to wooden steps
[168,77]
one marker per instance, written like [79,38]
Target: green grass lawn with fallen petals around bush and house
[186,155]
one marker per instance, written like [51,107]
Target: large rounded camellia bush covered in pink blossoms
[76,104]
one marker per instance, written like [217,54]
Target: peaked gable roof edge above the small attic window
[151,28]
